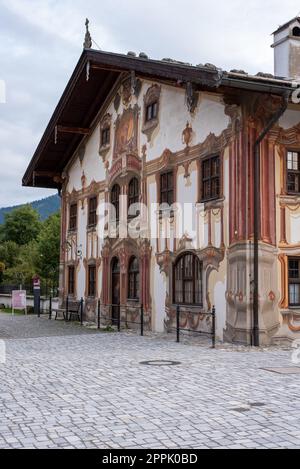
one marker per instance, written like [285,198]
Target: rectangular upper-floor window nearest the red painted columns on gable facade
[211,178]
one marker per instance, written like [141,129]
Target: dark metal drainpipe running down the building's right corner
[256,201]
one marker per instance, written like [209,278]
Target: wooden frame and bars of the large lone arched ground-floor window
[185,279]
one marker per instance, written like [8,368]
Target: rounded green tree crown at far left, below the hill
[21,226]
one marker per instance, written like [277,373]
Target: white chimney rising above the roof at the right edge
[287,50]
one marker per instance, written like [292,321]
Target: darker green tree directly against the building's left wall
[48,248]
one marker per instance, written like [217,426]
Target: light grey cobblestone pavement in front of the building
[89,390]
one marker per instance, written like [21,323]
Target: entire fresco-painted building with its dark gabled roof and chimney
[220,150]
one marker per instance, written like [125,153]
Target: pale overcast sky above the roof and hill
[41,41]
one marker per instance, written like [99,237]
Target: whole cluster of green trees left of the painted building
[29,246]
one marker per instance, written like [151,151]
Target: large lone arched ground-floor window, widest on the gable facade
[187,286]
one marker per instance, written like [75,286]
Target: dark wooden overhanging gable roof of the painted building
[82,101]
